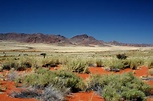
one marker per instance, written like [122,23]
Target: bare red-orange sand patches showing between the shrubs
[80,96]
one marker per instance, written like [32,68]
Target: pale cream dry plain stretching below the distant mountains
[41,47]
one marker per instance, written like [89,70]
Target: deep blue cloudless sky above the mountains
[129,21]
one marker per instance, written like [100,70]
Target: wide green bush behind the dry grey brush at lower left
[59,79]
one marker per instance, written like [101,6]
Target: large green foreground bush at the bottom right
[115,87]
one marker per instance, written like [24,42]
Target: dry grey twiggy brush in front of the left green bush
[47,94]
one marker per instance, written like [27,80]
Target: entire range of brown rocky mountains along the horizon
[78,40]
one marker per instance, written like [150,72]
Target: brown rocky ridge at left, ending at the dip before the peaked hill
[35,38]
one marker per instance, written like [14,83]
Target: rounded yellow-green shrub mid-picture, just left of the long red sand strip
[78,66]
